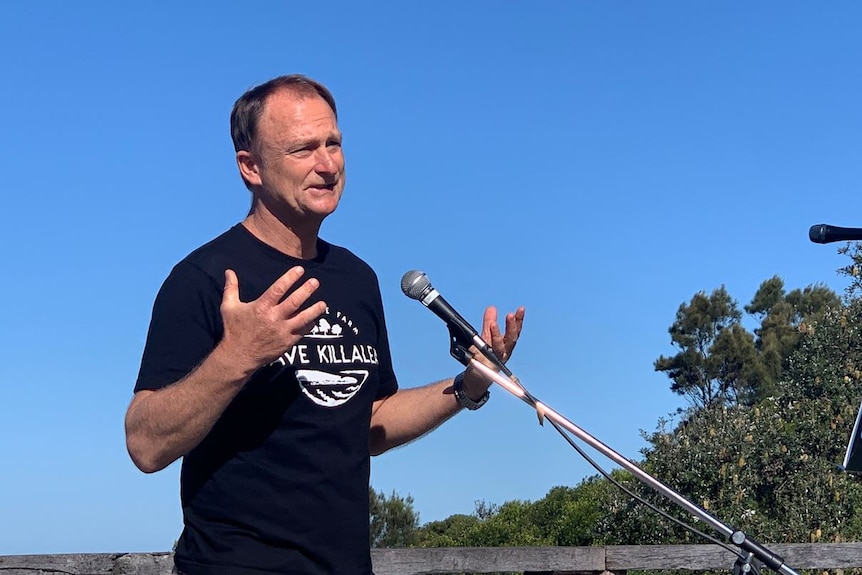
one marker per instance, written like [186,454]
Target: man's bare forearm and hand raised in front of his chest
[163,425]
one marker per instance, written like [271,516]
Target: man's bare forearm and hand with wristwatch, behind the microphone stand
[410,413]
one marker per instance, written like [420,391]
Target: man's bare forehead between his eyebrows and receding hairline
[290,116]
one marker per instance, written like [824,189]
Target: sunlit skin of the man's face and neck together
[296,172]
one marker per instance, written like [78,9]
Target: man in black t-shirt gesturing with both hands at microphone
[267,365]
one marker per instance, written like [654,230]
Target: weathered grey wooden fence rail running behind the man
[441,560]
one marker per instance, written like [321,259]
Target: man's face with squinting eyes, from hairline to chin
[298,165]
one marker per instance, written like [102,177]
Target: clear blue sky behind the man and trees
[596,162]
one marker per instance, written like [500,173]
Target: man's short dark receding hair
[248,108]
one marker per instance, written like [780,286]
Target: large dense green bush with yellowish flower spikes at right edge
[769,469]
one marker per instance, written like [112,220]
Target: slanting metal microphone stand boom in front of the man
[459,349]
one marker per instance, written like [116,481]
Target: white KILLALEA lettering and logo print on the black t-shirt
[328,385]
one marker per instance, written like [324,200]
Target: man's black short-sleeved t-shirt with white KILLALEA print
[280,484]
